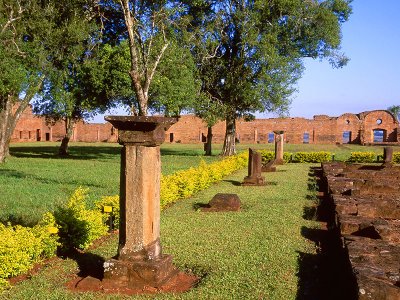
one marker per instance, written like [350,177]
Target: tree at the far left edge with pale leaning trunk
[23,27]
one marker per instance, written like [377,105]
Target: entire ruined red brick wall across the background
[322,129]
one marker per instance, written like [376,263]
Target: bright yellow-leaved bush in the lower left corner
[22,247]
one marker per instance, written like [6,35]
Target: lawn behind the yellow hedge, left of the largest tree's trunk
[34,180]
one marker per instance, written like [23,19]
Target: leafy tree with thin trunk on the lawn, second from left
[74,41]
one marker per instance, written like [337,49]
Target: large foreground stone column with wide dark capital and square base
[140,261]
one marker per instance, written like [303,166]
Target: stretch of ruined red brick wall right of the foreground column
[372,127]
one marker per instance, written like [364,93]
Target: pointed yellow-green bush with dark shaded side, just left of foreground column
[79,226]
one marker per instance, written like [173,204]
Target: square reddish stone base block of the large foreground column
[137,274]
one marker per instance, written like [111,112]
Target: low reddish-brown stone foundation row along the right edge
[366,202]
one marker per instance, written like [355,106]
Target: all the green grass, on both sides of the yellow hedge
[251,254]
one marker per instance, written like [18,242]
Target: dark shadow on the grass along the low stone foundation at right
[326,274]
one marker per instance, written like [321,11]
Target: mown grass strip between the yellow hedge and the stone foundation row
[251,254]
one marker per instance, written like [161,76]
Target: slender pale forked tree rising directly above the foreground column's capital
[150,30]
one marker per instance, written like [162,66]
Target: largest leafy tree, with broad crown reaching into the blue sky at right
[257,48]
